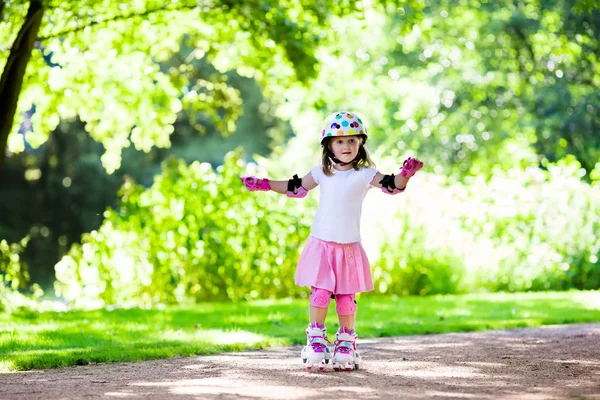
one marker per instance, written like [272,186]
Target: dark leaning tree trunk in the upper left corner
[11,81]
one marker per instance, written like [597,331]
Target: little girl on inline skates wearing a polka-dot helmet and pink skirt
[333,262]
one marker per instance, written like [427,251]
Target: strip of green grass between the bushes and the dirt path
[30,340]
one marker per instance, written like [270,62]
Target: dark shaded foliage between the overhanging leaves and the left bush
[56,193]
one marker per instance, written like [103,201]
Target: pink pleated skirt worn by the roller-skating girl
[339,268]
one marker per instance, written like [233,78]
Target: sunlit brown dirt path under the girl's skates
[558,362]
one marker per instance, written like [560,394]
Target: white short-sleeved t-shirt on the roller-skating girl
[338,216]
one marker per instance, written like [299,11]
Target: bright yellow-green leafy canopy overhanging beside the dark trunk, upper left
[103,61]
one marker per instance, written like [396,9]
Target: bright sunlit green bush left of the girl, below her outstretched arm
[194,234]
